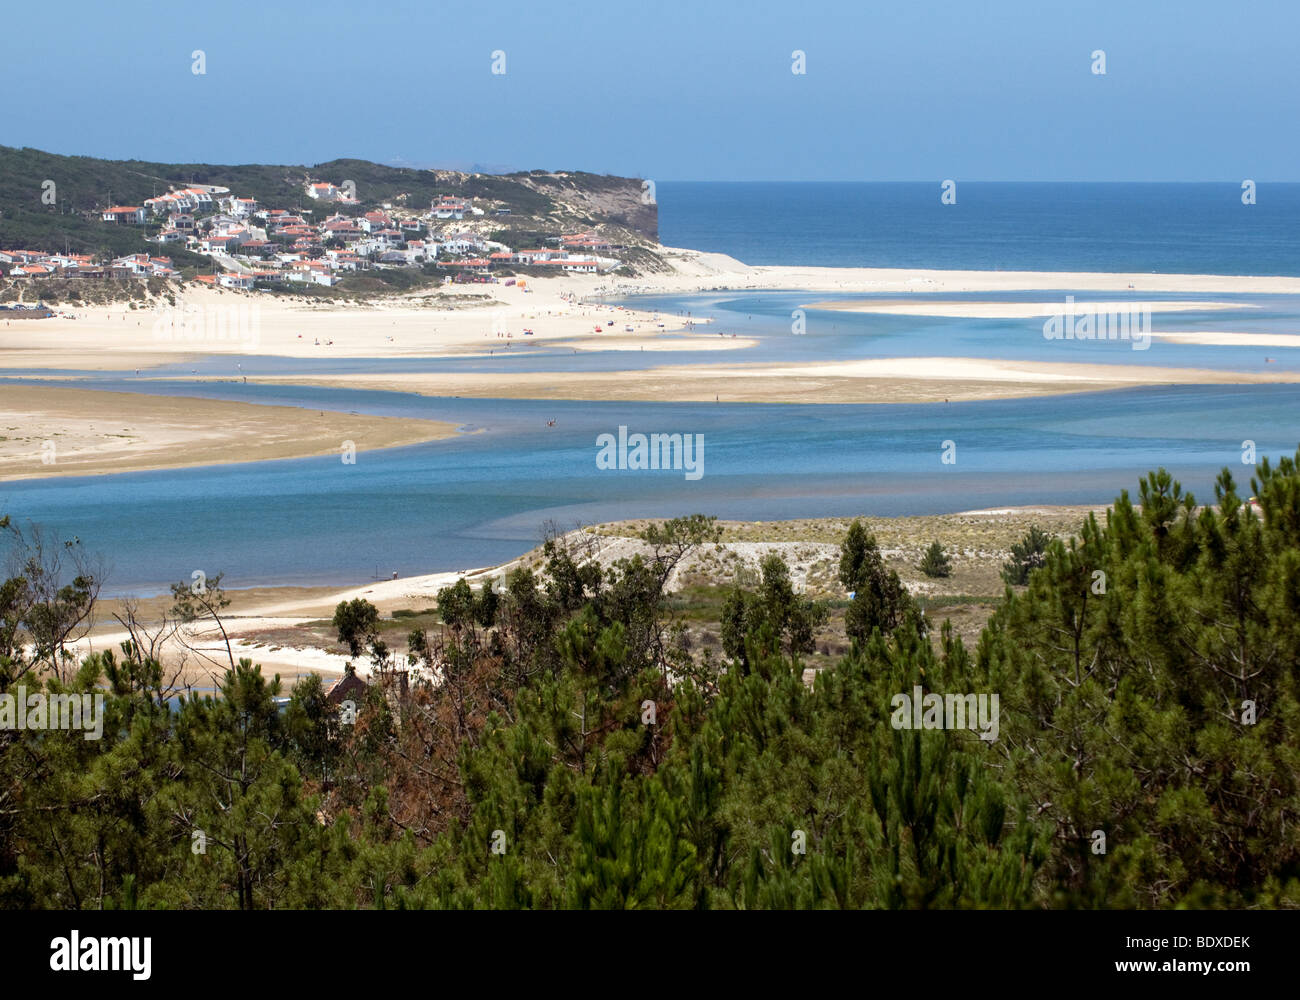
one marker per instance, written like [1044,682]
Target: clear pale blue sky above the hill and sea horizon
[974,90]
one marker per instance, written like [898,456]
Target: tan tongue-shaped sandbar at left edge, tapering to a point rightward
[80,432]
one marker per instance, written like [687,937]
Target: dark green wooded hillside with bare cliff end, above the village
[539,202]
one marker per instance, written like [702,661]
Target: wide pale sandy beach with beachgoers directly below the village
[473,321]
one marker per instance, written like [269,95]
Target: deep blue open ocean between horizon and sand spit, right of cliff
[1182,228]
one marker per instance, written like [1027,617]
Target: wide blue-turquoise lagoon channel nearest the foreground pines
[482,497]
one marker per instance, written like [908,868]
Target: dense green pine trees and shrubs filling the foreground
[575,754]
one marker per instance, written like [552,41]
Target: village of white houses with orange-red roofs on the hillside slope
[254,246]
